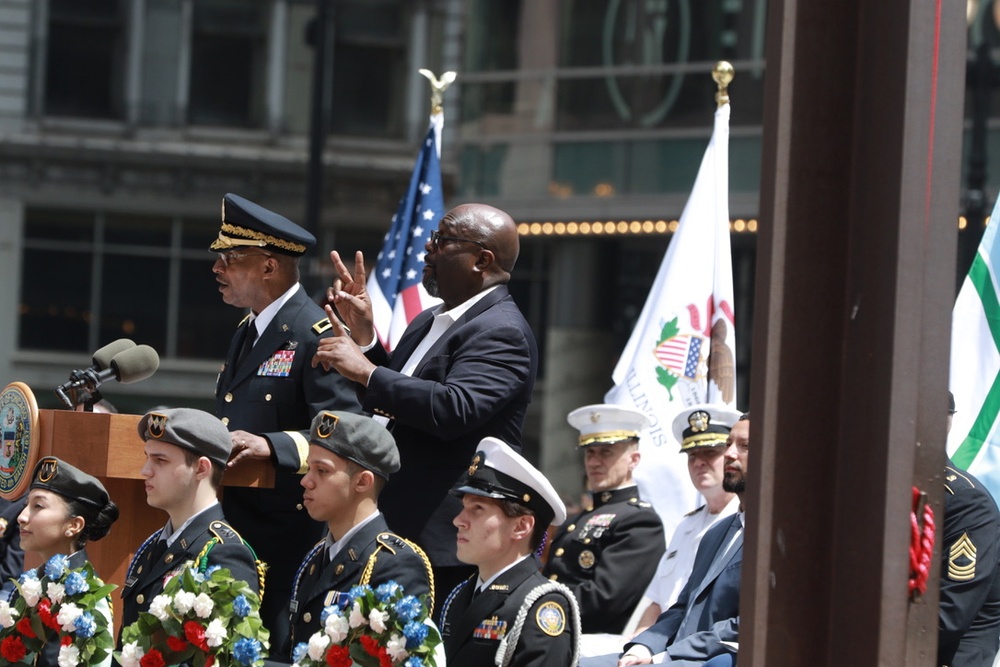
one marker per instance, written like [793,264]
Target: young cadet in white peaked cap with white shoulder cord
[507,613]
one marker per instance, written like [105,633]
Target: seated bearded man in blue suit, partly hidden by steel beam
[707,612]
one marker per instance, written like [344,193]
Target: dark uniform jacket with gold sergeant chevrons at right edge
[969,623]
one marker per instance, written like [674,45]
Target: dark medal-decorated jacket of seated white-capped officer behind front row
[607,557]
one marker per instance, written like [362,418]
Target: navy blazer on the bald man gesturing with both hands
[475,381]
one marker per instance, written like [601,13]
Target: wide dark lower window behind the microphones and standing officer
[91,277]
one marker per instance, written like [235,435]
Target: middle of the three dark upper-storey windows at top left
[228,63]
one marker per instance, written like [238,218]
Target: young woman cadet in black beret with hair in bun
[65,509]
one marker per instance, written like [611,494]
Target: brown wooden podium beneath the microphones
[109,447]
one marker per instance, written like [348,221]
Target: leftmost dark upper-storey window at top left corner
[85,59]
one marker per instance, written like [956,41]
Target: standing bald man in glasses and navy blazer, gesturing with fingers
[462,371]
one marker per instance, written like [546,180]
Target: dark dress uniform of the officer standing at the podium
[276,392]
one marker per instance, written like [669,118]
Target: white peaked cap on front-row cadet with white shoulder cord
[497,471]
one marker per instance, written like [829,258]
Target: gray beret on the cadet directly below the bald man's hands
[356,438]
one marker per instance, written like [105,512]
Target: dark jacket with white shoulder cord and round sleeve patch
[473,629]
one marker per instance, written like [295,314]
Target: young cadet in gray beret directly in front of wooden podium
[186,454]
